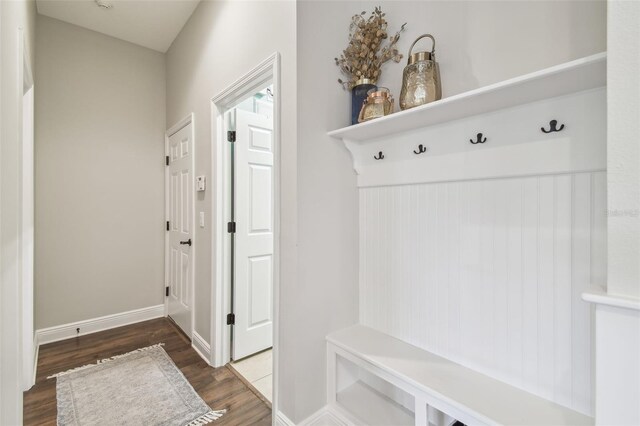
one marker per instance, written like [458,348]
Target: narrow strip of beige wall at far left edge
[13,15]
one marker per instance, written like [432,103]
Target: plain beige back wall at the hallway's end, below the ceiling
[100,105]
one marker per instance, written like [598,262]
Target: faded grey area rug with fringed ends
[143,387]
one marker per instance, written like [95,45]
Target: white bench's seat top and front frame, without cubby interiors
[458,391]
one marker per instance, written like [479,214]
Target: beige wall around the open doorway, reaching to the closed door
[221,42]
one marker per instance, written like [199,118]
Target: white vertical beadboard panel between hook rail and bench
[489,273]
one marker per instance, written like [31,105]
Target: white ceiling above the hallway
[149,23]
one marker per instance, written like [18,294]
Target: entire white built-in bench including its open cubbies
[376,379]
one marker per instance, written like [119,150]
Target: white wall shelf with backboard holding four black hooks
[505,129]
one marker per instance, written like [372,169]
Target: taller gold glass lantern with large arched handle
[420,78]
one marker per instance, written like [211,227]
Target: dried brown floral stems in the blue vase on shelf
[365,55]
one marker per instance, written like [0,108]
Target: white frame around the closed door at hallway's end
[189,119]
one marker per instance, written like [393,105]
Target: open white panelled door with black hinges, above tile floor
[254,208]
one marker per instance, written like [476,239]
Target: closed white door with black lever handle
[179,256]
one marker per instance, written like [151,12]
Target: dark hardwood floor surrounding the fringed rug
[218,387]
